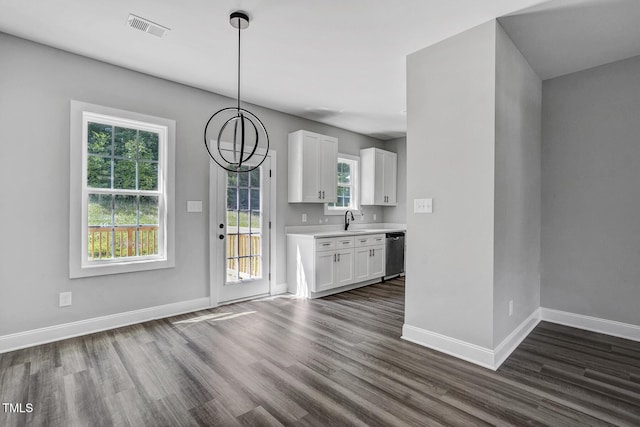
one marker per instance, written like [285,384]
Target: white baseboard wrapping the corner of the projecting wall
[485,357]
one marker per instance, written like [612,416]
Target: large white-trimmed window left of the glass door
[121,191]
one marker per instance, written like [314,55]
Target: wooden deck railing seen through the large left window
[116,242]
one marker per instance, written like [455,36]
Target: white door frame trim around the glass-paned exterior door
[215,264]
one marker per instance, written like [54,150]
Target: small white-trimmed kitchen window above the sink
[348,182]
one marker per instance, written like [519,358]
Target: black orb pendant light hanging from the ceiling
[240,135]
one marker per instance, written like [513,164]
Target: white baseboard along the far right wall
[593,324]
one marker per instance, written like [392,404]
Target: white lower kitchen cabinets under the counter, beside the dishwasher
[318,265]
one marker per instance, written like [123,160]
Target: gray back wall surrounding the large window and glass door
[36,84]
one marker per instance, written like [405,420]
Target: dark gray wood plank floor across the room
[328,362]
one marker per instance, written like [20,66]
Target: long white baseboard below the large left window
[83,327]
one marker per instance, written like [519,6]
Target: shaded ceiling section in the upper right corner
[565,36]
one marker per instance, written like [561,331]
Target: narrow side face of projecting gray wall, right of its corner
[517,188]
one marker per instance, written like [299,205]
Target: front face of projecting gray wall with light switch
[450,158]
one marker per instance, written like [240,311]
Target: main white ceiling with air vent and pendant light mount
[340,62]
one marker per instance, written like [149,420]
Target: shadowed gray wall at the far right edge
[591,192]
